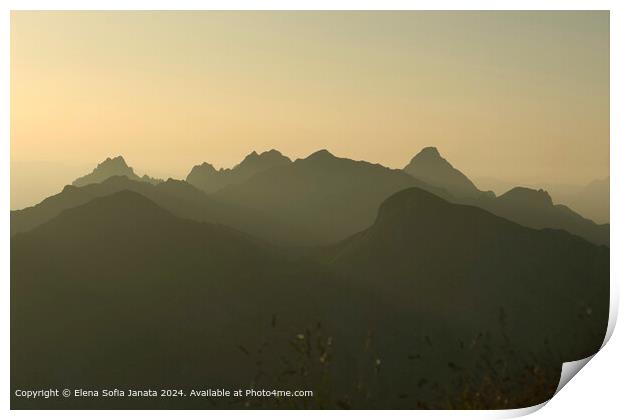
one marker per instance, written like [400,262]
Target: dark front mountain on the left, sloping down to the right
[120,293]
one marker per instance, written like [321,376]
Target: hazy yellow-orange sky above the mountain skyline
[512,95]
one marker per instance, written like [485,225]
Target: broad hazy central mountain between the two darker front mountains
[329,196]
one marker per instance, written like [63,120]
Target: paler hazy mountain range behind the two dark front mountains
[319,199]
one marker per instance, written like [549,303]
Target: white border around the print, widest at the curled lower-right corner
[593,394]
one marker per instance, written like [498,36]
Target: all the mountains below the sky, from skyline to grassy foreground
[372,287]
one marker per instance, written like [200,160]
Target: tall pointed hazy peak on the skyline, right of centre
[430,167]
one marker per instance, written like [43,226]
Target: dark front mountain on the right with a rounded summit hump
[465,263]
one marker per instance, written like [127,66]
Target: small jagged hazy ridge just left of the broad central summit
[208,179]
